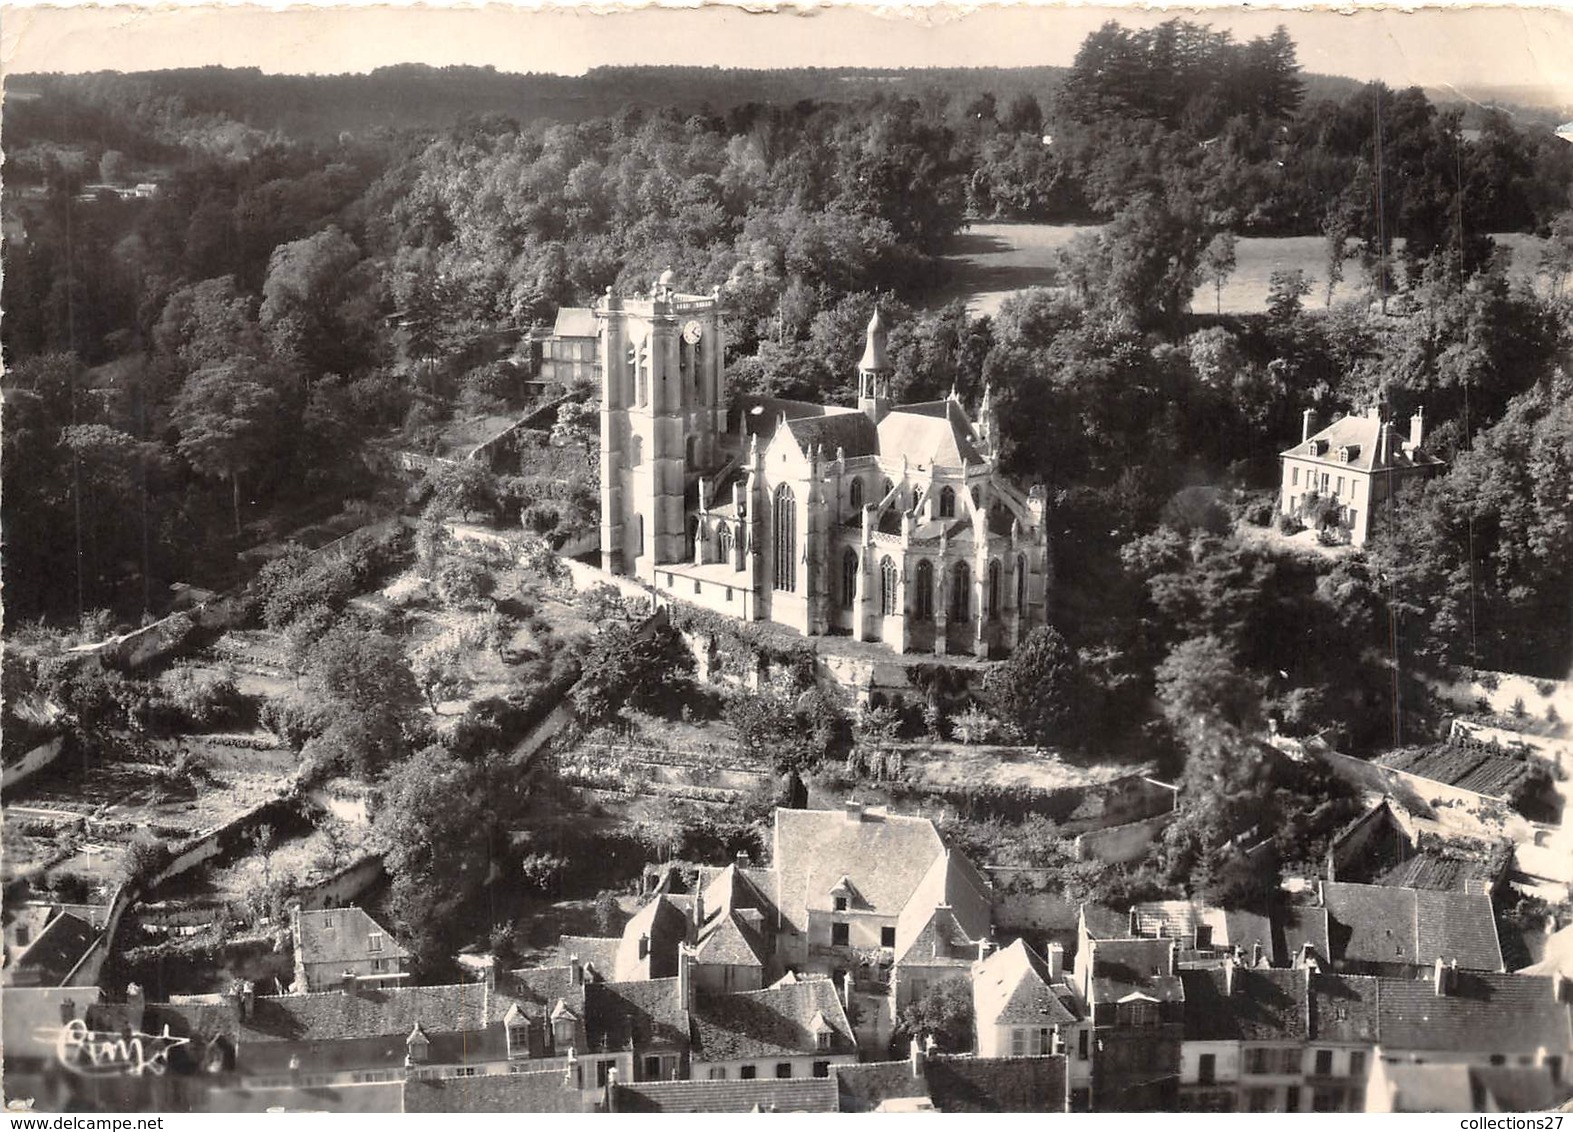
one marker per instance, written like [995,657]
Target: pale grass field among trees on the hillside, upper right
[993,260]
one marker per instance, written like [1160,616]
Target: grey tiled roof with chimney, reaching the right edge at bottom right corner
[1479,1013]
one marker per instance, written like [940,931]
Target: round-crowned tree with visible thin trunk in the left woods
[226,419]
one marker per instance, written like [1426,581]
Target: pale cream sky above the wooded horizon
[1468,48]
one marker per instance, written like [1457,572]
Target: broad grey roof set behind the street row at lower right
[1382,925]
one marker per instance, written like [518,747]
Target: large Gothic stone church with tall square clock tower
[879,523]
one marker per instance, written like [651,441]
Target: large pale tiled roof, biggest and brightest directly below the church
[886,856]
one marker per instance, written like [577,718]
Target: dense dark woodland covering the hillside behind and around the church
[190,364]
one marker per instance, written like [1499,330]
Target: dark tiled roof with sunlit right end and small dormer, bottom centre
[775,1023]
